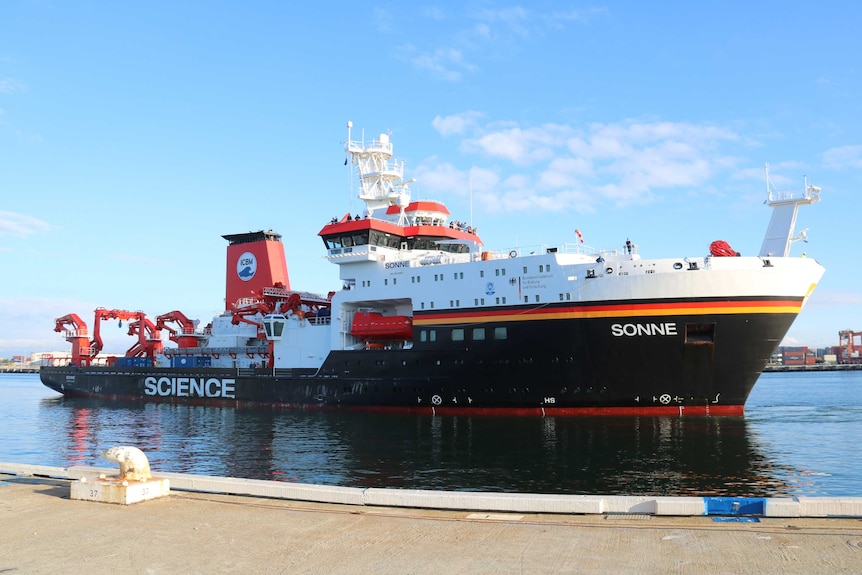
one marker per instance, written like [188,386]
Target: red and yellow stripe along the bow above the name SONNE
[791,306]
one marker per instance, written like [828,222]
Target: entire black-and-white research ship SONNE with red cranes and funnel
[426,319]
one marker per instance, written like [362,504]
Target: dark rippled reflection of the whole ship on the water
[615,456]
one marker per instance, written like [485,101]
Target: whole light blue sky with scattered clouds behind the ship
[134,135]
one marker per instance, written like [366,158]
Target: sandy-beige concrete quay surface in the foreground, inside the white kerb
[191,531]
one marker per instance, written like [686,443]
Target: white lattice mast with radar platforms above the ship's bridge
[381,178]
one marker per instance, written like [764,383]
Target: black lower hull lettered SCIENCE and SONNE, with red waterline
[681,365]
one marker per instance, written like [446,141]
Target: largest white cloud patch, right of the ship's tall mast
[555,166]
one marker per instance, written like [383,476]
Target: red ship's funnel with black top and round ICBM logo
[255,260]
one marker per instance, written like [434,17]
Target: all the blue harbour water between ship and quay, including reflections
[800,436]
